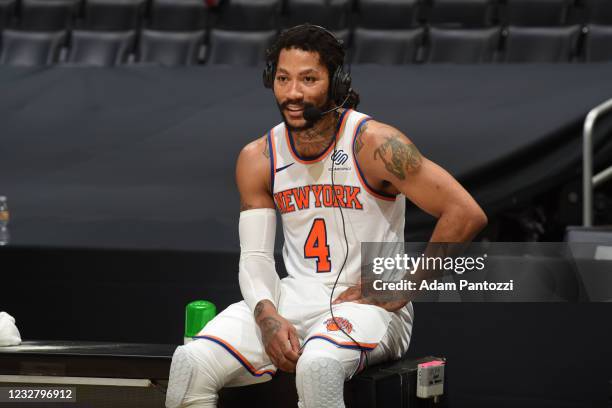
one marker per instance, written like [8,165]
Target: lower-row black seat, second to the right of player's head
[467,46]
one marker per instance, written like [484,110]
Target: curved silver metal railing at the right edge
[589,182]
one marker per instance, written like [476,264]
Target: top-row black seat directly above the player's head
[331,14]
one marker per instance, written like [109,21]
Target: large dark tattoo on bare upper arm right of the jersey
[399,157]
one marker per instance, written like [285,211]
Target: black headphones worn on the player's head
[340,83]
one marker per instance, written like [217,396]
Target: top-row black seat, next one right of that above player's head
[387,14]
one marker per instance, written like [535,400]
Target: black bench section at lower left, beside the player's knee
[101,374]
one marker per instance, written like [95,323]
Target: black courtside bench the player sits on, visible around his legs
[135,375]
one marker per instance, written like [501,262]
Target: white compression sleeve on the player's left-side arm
[257,272]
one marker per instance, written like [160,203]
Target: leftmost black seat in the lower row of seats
[31,48]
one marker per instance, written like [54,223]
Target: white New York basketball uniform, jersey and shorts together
[313,252]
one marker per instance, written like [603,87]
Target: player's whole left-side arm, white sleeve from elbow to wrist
[259,282]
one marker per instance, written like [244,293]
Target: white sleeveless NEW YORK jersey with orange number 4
[312,222]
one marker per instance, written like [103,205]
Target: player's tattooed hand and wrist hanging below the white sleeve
[278,335]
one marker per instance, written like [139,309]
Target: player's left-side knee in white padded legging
[198,371]
